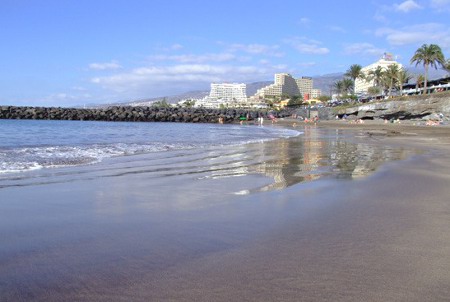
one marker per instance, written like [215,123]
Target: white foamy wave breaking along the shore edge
[13,160]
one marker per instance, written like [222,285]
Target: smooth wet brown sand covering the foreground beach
[384,237]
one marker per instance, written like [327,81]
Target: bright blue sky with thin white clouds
[72,53]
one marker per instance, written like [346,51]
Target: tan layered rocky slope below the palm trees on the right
[425,107]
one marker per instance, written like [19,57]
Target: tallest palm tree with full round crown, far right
[428,55]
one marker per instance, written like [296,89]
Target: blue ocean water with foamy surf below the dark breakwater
[31,145]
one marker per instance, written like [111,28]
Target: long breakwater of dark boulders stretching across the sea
[130,114]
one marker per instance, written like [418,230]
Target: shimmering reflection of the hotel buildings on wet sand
[315,154]
